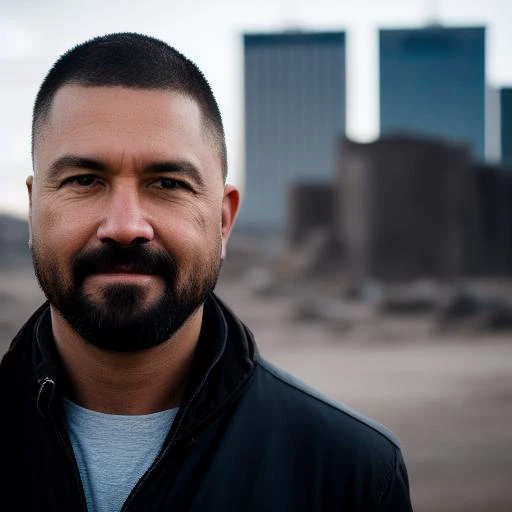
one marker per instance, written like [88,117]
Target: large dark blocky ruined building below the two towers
[405,204]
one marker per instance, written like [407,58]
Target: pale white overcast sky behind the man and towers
[34,33]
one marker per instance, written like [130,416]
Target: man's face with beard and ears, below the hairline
[129,213]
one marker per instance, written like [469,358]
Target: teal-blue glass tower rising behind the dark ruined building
[432,82]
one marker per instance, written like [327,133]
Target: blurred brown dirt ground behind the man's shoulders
[448,397]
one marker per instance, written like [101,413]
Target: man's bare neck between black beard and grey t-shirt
[141,382]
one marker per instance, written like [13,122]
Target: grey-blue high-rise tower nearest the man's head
[294,86]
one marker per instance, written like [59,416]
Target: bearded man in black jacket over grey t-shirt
[134,387]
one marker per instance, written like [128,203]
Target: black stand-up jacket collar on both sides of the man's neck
[223,364]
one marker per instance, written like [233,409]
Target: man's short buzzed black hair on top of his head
[135,61]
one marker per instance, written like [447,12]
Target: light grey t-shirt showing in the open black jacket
[114,451]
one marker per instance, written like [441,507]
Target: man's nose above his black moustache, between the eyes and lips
[124,221]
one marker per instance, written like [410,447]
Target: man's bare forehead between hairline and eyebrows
[120,120]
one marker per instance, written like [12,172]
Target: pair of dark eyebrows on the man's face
[158,167]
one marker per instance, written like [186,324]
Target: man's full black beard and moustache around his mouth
[118,321]
